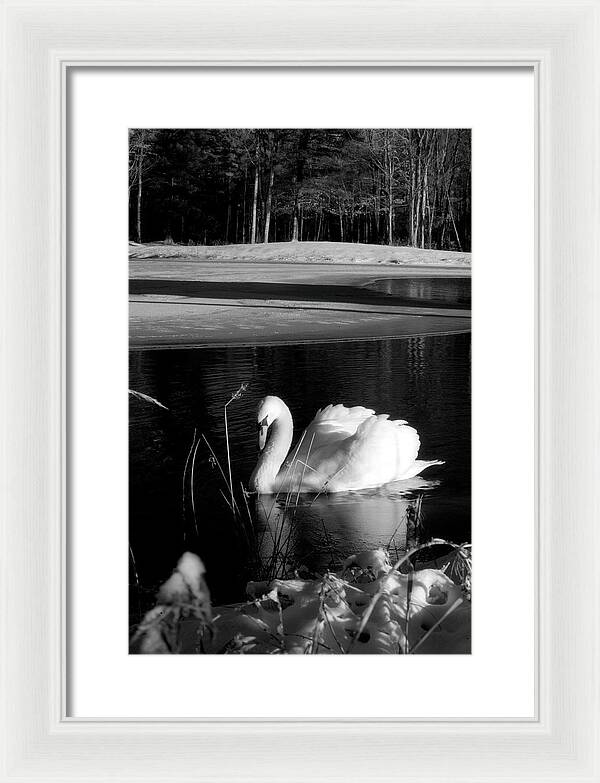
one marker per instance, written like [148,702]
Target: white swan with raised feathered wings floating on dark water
[341,449]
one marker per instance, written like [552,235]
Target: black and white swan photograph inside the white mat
[300,391]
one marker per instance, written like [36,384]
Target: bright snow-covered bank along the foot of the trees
[306,252]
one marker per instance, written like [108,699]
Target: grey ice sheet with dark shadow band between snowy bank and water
[182,304]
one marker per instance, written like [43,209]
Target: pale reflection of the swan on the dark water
[320,531]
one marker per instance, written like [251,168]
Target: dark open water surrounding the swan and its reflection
[425,380]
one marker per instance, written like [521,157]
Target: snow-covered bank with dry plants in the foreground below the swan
[366,607]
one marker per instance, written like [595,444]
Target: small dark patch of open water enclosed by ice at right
[426,291]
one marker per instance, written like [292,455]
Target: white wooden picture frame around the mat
[40,42]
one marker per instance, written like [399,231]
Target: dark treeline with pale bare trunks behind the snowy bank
[212,187]
